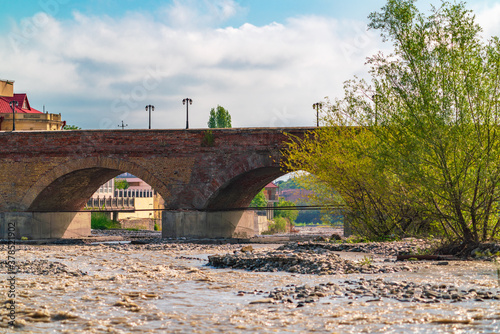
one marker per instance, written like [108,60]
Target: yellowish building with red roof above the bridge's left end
[26,117]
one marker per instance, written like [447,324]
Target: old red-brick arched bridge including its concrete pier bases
[47,177]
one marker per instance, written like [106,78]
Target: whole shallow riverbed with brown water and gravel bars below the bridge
[172,287]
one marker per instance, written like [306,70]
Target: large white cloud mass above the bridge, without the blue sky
[97,71]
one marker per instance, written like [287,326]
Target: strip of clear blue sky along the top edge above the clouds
[258,12]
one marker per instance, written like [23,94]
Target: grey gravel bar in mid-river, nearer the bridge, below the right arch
[302,258]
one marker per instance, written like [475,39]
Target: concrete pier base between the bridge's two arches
[208,224]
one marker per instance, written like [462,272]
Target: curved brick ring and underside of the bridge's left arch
[67,187]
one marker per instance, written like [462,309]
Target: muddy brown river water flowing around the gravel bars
[165,288]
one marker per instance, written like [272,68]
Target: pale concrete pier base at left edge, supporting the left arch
[45,225]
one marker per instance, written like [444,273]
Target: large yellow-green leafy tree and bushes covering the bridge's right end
[416,151]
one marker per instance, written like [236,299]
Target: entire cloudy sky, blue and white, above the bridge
[100,62]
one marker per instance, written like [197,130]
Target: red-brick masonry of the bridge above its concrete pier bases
[60,170]
